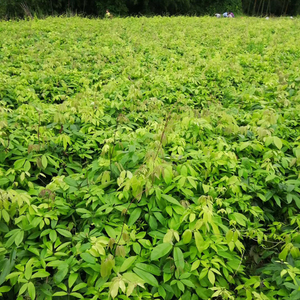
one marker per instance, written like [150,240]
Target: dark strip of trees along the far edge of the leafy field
[19,8]
